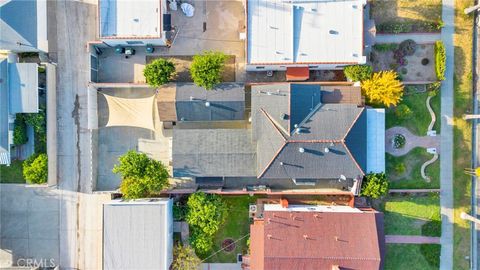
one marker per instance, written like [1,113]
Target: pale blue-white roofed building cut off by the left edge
[18,94]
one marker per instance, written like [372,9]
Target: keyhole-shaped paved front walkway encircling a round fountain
[411,141]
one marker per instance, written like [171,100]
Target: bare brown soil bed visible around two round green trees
[183,62]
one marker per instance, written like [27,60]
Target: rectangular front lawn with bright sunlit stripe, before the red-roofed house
[412,215]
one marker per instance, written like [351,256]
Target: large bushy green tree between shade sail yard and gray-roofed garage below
[141,175]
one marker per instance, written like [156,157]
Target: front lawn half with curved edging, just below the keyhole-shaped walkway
[412,178]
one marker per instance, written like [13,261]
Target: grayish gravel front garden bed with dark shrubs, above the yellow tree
[418,67]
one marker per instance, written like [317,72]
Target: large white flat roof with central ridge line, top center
[305,31]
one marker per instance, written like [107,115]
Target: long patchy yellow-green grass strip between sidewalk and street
[462,131]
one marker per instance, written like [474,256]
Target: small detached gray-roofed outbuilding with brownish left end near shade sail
[188,102]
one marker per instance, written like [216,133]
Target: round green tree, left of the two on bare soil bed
[159,72]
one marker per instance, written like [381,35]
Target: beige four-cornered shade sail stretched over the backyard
[132,112]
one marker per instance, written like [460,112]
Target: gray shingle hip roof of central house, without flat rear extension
[339,127]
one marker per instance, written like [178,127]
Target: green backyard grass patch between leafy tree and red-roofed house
[236,227]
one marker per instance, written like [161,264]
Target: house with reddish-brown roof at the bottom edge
[316,237]
